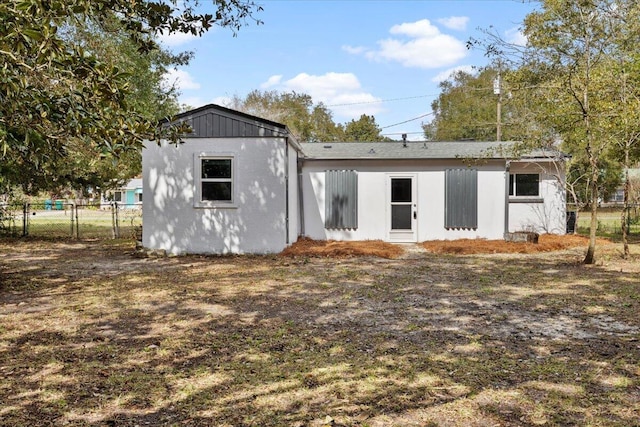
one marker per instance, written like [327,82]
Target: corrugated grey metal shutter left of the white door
[341,199]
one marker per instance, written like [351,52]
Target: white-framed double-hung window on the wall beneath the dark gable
[215,181]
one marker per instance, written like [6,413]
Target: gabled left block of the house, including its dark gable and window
[231,187]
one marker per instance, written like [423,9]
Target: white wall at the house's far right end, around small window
[548,213]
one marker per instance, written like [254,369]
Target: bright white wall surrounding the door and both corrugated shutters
[374,206]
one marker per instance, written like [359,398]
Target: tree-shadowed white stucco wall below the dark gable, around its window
[255,224]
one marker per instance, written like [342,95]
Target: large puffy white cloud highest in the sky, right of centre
[419,44]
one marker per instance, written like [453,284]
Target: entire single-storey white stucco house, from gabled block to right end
[242,184]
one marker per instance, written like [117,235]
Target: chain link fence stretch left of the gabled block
[59,219]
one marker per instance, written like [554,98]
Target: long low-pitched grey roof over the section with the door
[417,150]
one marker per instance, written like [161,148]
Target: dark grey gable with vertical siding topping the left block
[216,121]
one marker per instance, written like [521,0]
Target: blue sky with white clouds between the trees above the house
[378,57]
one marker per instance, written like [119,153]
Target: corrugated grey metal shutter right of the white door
[461,198]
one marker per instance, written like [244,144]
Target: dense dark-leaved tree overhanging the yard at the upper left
[68,89]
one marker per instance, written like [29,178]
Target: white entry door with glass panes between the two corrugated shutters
[402,208]
